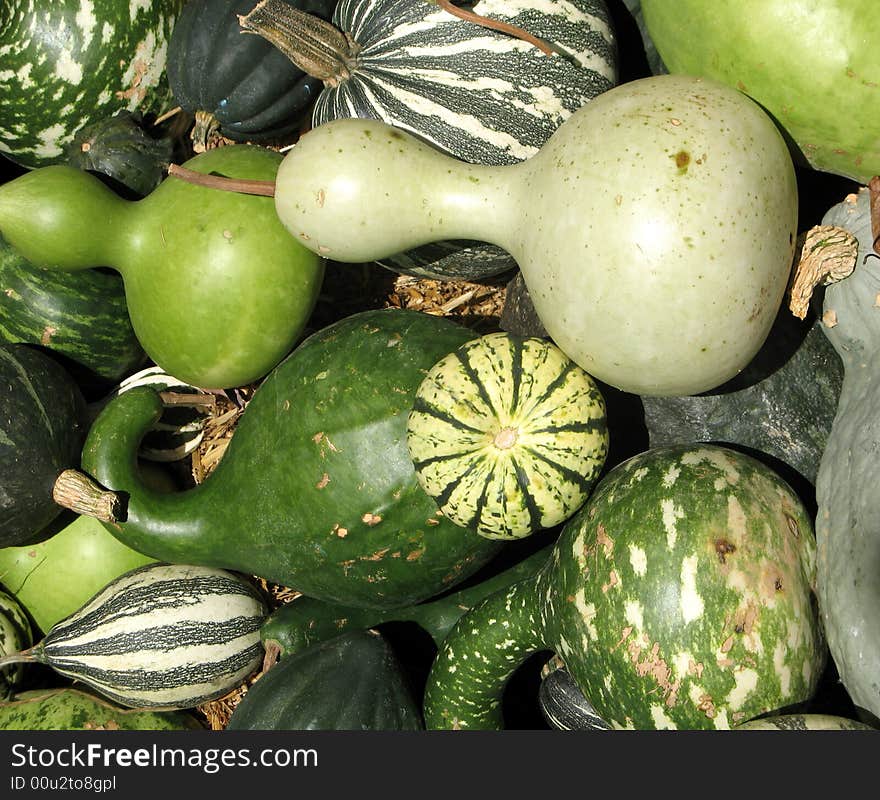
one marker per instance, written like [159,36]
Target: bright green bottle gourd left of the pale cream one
[216,290]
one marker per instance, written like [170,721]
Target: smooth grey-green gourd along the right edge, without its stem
[848,518]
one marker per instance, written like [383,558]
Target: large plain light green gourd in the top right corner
[761,47]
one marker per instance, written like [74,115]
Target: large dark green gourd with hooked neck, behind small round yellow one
[316,489]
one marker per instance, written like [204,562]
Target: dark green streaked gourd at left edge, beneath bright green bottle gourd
[81,316]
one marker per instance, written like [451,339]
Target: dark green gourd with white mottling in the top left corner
[68,63]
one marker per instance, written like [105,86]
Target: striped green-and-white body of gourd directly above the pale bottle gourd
[482,96]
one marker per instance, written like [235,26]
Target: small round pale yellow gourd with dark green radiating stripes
[508,435]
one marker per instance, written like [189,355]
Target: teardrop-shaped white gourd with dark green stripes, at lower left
[162,636]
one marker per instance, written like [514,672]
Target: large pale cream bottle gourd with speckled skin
[655,230]
